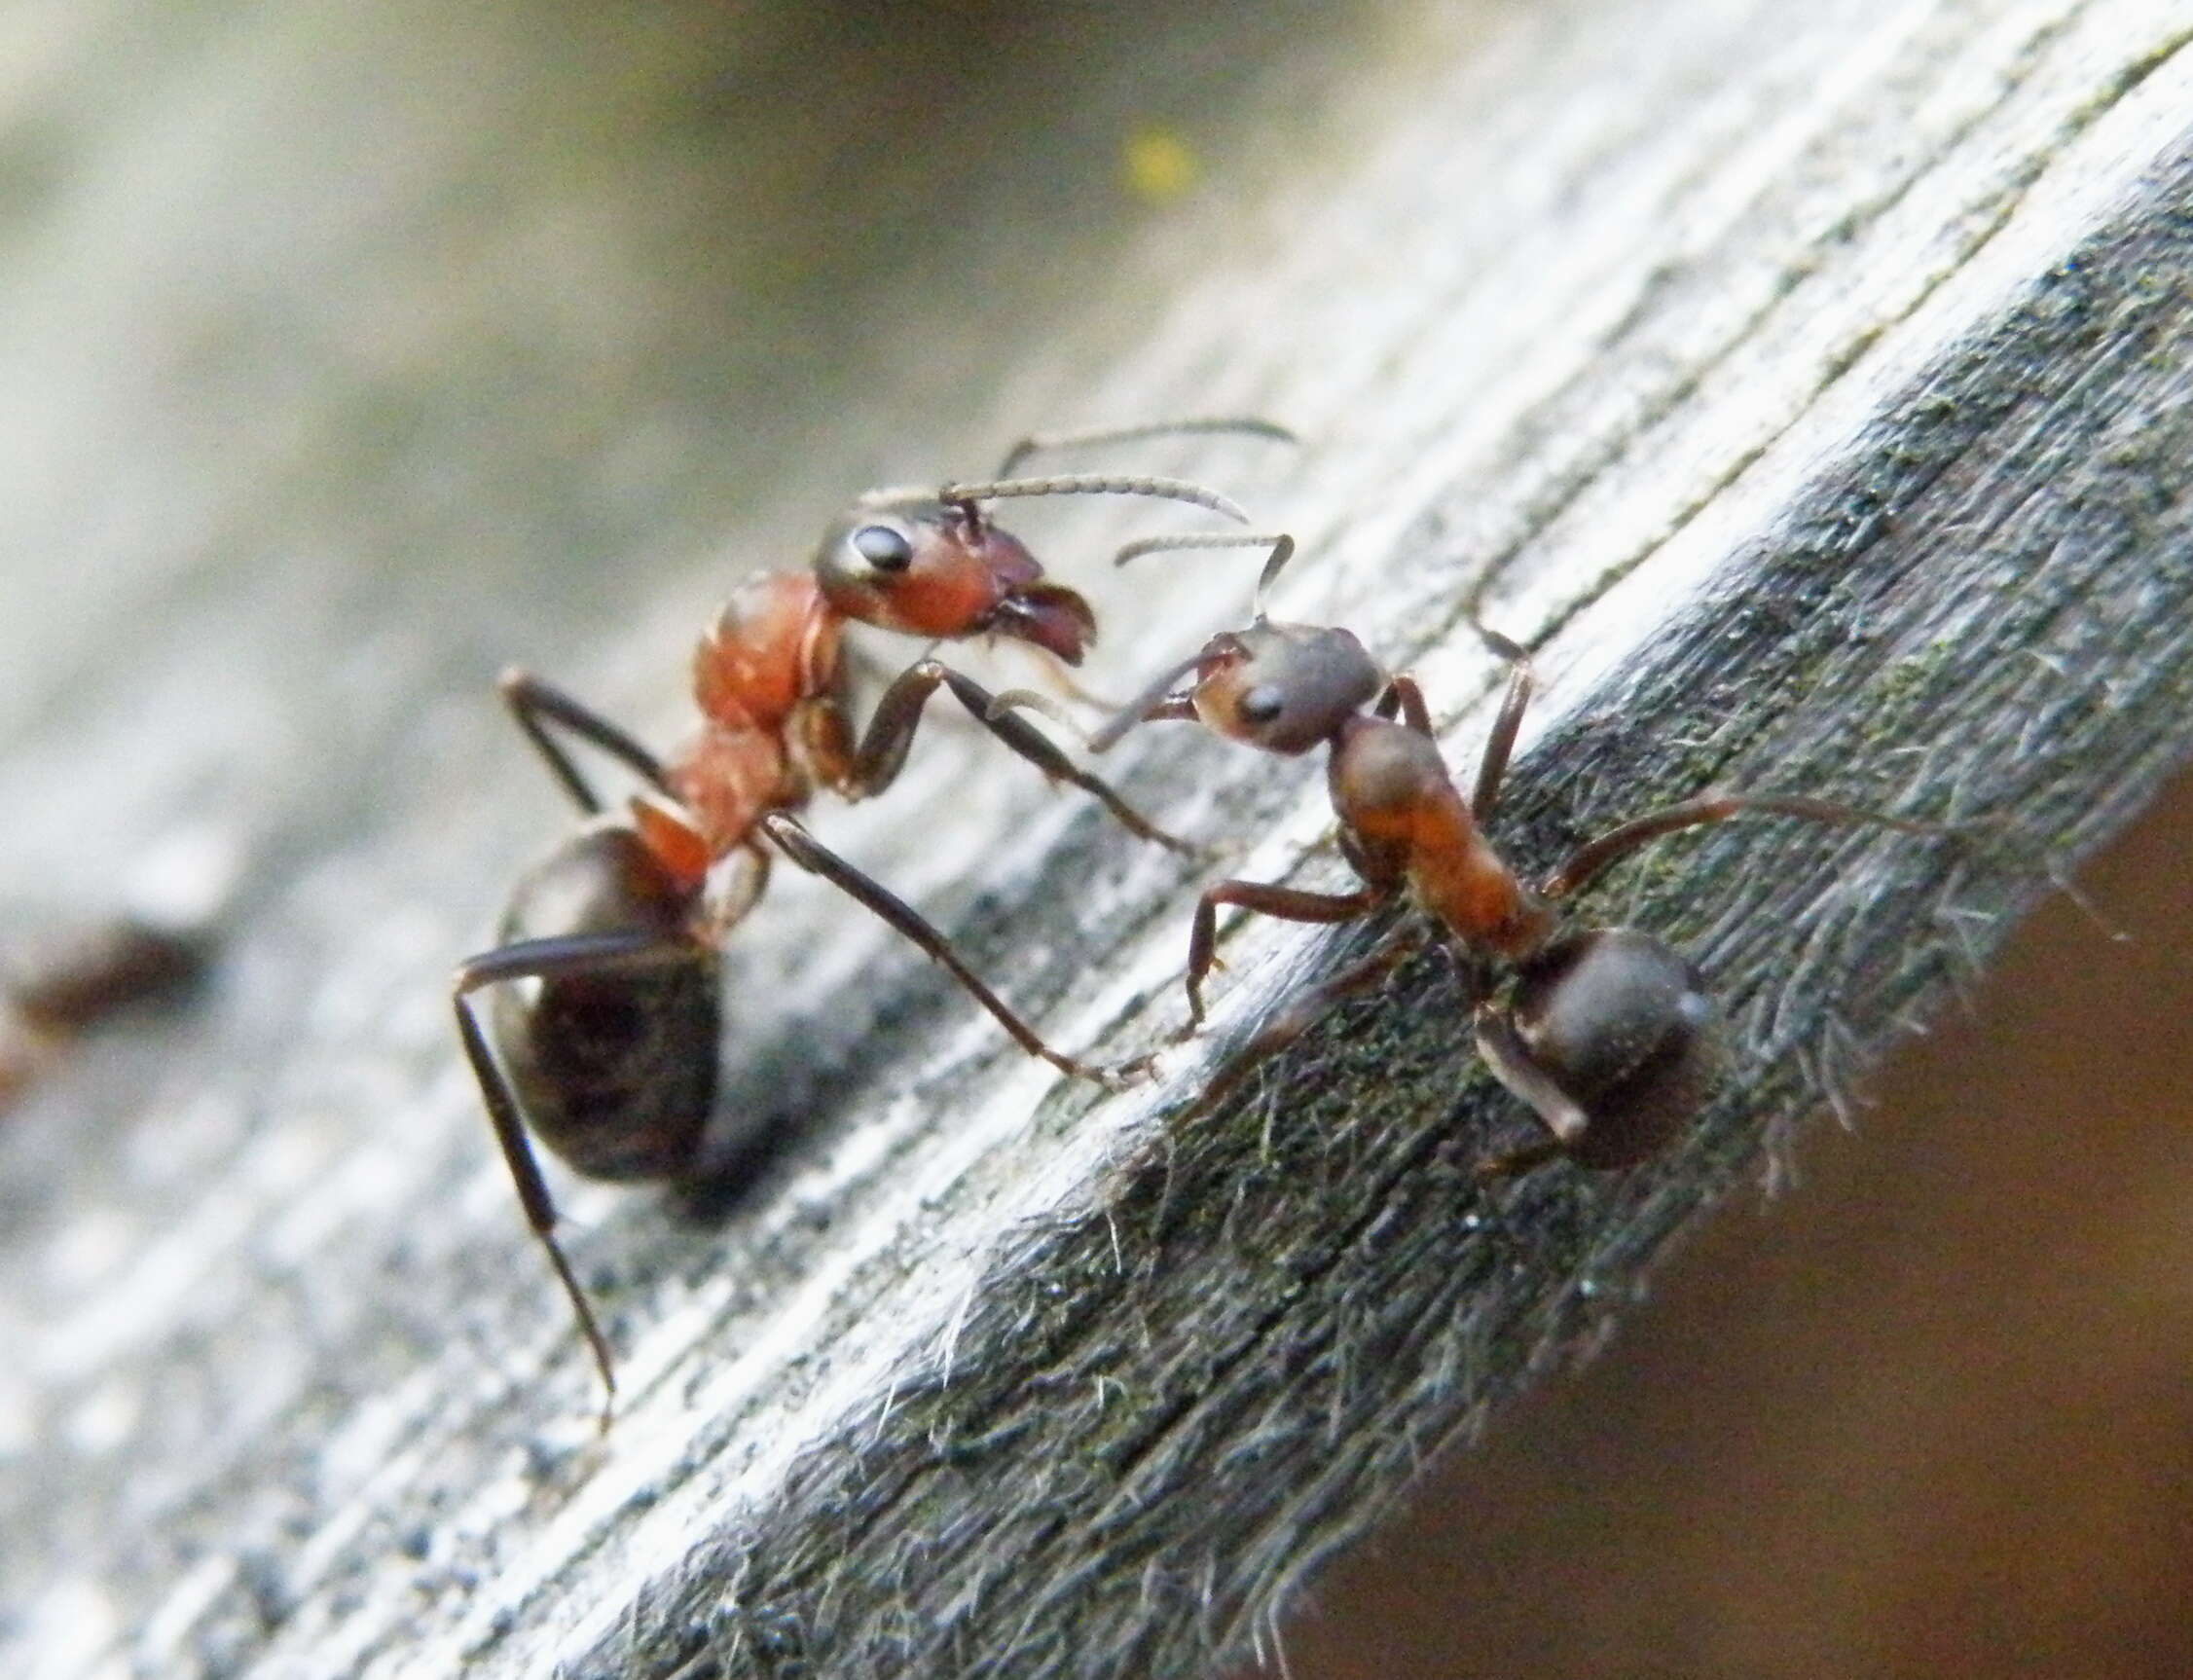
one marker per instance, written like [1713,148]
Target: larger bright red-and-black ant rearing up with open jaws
[611,1054]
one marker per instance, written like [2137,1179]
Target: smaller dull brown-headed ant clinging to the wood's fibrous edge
[1606,1034]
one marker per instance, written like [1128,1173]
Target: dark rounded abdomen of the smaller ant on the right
[1611,1038]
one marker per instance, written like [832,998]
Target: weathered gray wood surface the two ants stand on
[1813,389]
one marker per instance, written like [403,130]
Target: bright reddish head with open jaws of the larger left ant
[907,560]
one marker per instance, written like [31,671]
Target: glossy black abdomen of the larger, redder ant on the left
[615,1065]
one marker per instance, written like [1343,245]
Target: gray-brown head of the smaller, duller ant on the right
[1284,688]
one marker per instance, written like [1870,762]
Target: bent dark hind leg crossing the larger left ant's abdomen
[547,960]
